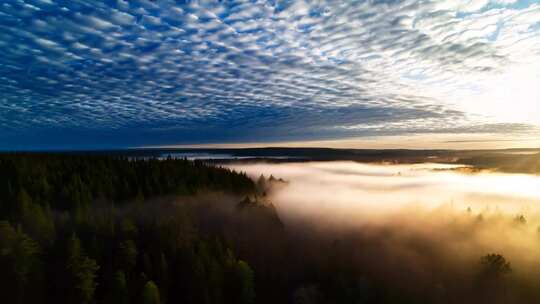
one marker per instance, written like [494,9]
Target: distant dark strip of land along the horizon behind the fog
[503,160]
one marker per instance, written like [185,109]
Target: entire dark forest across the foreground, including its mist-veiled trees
[111,229]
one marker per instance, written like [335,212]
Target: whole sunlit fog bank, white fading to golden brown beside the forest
[415,211]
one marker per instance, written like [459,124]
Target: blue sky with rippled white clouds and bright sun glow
[414,73]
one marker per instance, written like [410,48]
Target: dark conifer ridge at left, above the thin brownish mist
[75,182]
